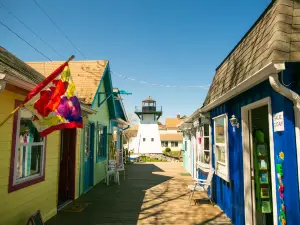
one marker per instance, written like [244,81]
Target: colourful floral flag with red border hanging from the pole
[54,103]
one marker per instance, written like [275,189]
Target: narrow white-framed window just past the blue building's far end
[205,150]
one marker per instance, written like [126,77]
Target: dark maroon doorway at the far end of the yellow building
[66,186]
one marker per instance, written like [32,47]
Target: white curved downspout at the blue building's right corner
[295,98]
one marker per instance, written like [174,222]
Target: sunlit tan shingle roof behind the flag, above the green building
[85,74]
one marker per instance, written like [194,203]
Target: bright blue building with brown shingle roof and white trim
[253,106]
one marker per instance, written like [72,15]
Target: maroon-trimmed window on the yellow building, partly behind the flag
[28,152]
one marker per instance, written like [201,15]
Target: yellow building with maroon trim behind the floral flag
[32,171]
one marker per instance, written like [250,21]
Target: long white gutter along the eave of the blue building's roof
[256,78]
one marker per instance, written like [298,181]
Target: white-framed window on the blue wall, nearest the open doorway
[221,146]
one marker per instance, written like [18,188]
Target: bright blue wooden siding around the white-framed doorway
[230,196]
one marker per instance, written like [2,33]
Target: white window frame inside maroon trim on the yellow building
[17,145]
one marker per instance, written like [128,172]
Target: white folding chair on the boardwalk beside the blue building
[202,185]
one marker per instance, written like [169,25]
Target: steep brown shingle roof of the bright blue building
[275,36]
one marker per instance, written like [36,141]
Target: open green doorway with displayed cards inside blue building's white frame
[261,185]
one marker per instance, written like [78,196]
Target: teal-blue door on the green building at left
[88,156]
